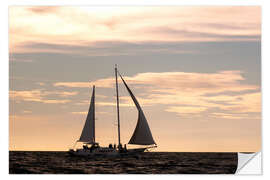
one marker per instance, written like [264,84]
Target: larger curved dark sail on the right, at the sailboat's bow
[142,134]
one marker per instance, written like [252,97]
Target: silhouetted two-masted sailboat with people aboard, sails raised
[141,136]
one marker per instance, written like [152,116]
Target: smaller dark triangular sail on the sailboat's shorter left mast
[88,132]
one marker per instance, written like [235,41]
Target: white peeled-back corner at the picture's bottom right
[249,163]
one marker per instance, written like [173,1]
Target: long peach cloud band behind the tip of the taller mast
[215,82]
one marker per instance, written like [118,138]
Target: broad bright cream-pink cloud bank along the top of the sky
[77,25]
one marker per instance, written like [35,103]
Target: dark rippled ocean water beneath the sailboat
[27,162]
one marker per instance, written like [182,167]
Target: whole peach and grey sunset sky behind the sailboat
[195,70]
